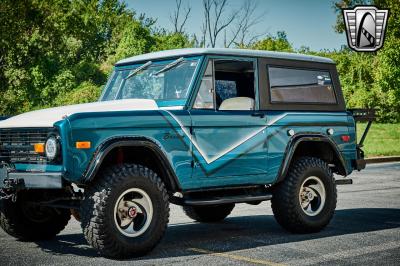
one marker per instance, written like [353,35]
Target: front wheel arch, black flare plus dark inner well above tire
[110,147]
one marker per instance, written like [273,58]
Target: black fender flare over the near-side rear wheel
[294,143]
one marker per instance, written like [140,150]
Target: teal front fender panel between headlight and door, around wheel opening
[102,129]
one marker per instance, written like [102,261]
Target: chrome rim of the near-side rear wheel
[312,196]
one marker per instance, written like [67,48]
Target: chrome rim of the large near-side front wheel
[133,212]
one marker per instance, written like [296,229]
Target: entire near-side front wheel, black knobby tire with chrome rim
[125,211]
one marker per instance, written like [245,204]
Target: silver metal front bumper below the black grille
[28,180]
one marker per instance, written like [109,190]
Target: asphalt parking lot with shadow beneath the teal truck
[365,230]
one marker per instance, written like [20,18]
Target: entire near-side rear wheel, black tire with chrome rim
[306,200]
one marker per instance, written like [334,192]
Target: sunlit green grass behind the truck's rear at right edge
[382,139]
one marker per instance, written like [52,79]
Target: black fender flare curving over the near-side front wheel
[108,145]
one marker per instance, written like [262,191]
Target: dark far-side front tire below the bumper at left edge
[17,223]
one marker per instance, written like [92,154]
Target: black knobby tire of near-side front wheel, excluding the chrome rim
[97,211]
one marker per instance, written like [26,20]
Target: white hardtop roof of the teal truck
[223,51]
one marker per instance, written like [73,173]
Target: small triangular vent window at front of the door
[205,96]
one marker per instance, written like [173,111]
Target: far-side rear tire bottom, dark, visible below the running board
[208,214]
